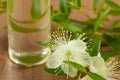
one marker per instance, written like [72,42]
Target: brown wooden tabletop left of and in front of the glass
[11,71]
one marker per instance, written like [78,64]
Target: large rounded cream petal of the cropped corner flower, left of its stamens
[97,65]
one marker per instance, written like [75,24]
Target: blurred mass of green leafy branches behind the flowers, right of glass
[93,27]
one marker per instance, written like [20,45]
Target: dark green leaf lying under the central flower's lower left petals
[57,71]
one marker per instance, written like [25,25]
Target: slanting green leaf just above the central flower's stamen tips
[68,26]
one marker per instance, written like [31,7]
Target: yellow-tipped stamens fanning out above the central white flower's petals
[61,36]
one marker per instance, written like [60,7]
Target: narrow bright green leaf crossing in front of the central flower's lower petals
[77,66]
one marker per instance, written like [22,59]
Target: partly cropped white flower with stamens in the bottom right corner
[110,69]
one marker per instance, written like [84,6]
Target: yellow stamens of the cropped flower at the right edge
[113,66]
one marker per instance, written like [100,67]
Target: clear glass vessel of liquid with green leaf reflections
[28,23]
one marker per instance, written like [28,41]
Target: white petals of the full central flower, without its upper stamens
[68,52]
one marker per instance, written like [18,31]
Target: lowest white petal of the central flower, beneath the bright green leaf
[69,70]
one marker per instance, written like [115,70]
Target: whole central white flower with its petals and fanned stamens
[68,50]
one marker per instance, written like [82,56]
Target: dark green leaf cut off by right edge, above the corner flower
[113,42]
